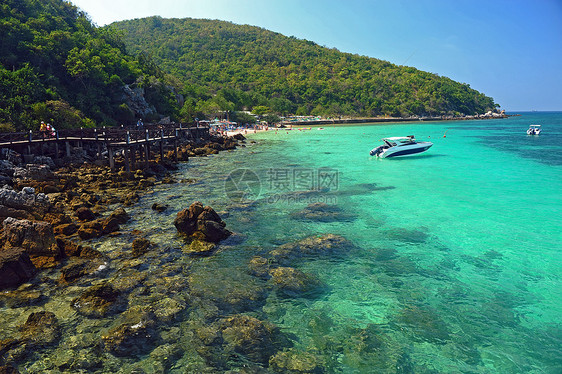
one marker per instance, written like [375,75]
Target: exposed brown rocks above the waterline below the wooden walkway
[50,214]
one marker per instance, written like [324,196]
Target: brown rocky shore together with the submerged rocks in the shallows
[69,305]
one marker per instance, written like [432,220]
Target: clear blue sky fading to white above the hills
[509,50]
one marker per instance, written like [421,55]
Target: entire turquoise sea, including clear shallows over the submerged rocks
[456,264]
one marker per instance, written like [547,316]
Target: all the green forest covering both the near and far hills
[56,66]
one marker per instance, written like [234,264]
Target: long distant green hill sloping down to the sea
[223,66]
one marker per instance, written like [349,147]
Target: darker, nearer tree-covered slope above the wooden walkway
[56,66]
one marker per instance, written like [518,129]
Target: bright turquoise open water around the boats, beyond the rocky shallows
[459,262]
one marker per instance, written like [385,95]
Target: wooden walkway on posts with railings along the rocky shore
[107,141]
